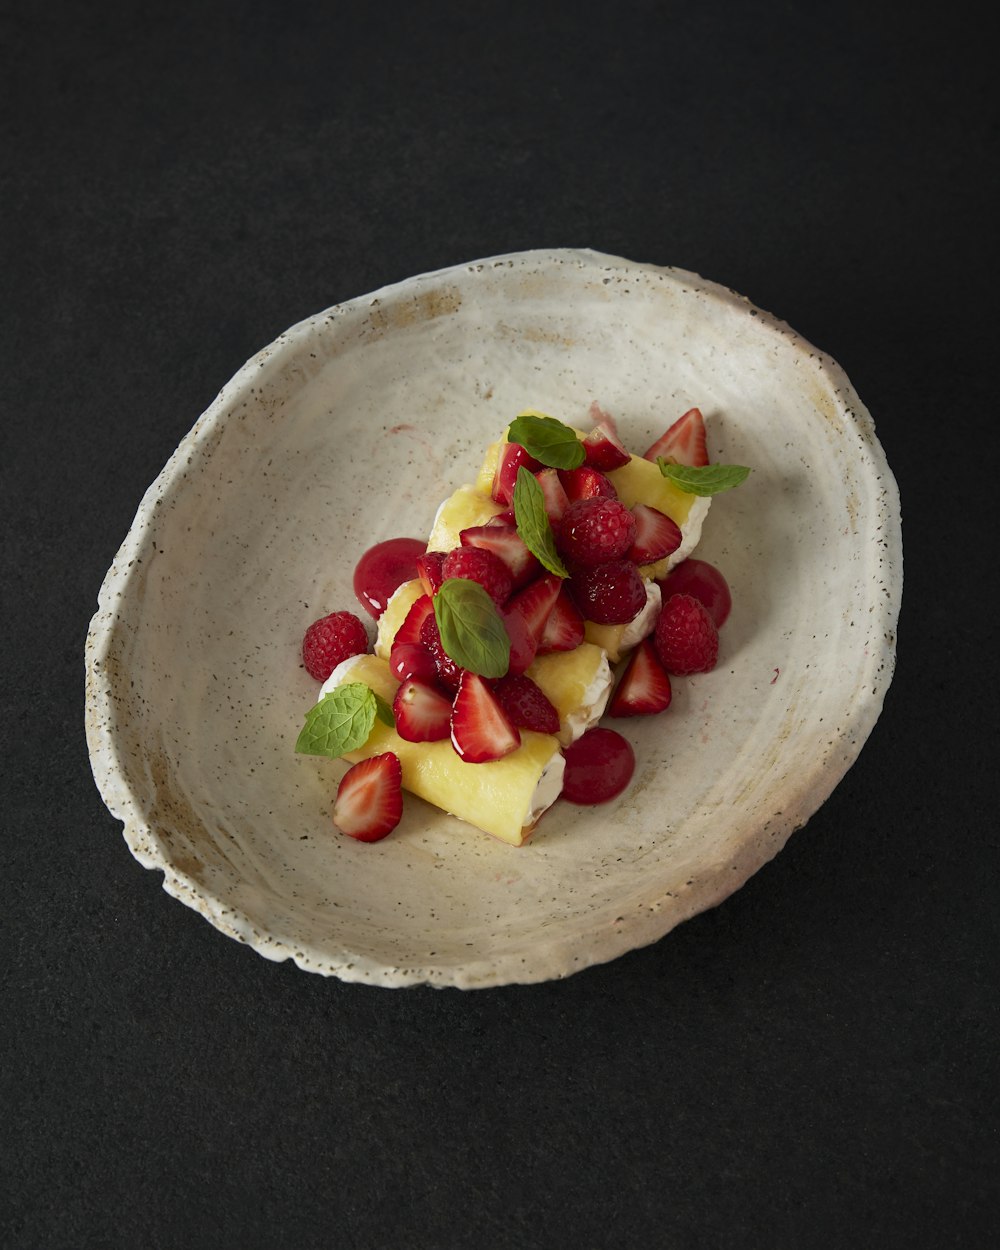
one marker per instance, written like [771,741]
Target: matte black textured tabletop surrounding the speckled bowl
[814,1063]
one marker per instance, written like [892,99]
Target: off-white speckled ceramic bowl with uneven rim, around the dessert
[349,429]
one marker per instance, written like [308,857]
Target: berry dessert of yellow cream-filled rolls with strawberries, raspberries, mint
[569,552]
